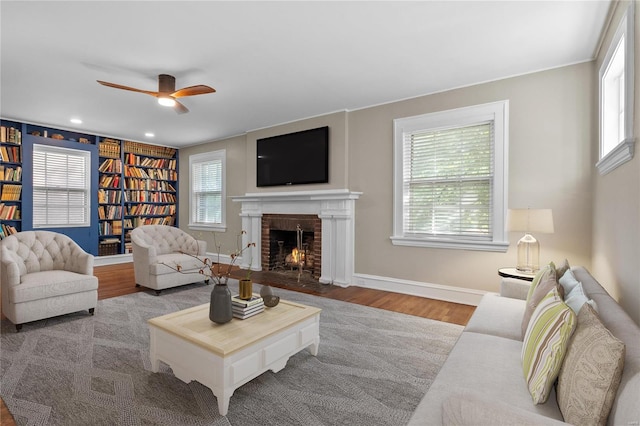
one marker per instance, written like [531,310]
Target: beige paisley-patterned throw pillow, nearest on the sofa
[591,372]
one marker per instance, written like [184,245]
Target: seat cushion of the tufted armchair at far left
[43,285]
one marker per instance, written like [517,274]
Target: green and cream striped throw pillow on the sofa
[545,344]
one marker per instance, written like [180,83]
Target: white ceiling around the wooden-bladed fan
[270,62]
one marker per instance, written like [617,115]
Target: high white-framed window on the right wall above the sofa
[616,97]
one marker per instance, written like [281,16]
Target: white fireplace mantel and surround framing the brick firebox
[336,209]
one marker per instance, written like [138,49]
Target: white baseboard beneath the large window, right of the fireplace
[461,295]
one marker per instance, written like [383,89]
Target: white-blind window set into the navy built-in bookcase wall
[61,187]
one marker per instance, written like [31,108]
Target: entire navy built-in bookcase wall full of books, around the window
[134,184]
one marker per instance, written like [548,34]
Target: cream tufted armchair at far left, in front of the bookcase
[45,274]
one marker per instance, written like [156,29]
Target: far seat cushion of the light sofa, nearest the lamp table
[497,315]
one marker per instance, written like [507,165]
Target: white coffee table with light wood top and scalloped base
[224,357]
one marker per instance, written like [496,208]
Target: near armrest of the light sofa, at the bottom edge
[468,408]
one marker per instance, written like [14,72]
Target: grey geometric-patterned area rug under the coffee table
[373,367]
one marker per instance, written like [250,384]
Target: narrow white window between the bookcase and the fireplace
[207,190]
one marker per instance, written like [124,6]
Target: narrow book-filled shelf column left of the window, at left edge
[10,178]
